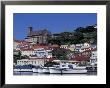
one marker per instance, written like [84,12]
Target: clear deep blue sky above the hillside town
[54,22]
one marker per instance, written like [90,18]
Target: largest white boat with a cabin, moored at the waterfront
[66,68]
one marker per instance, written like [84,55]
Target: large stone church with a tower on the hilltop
[39,36]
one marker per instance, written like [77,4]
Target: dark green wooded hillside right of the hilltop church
[79,35]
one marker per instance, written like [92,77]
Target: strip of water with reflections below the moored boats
[31,73]
